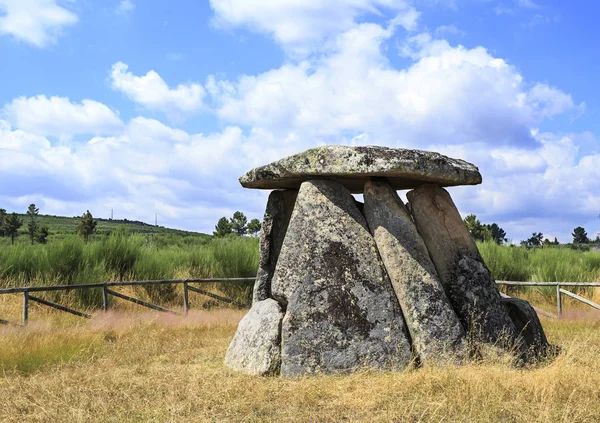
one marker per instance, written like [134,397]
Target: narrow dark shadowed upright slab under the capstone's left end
[276,219]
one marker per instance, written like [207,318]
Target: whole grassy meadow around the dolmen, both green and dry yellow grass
[130,365]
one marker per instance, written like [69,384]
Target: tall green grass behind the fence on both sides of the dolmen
[133,256]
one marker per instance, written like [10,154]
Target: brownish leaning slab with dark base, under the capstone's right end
[468,283]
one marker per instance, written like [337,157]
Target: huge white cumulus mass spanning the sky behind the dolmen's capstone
[464,102]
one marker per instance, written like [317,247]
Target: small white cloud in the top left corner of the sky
[36,22]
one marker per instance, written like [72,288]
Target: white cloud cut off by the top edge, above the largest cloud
[301,26]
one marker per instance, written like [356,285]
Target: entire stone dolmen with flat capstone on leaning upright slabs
[344,285]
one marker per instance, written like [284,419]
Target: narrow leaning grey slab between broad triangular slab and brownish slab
[435,330]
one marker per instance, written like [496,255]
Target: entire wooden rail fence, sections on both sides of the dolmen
[188,287]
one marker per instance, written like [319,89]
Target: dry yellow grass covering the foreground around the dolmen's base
[155,368]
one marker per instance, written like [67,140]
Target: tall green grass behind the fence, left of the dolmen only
[124,256]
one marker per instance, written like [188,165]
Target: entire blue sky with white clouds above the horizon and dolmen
[147,106]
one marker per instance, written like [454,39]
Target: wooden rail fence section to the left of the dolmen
[106,292]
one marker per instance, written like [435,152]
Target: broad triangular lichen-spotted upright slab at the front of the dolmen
[341,309]
